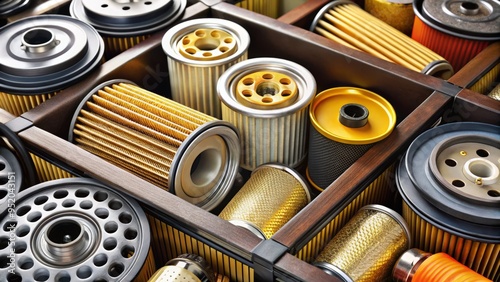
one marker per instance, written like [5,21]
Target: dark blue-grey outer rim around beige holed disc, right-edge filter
[484,226]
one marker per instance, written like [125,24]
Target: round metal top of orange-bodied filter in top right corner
[472,19]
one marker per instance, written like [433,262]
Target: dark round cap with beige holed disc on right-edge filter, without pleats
[450,177]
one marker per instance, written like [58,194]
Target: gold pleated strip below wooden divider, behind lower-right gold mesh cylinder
[378,192]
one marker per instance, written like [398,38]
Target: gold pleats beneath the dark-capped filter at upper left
[19,104]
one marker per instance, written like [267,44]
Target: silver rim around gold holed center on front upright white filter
[304,80]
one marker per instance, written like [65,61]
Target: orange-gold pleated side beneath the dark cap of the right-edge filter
[483,258]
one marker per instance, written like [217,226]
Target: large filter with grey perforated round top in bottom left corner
[74,230]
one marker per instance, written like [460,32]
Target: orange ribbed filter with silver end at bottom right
[418,266]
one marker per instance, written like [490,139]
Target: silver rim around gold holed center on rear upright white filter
[175,34]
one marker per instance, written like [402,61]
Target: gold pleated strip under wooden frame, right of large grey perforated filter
[169,242]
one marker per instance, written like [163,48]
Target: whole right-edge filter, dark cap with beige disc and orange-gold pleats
[449,182]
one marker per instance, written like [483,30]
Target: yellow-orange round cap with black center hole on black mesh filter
[352,115]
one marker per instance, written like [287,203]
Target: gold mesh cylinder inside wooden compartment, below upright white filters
[270,198]
